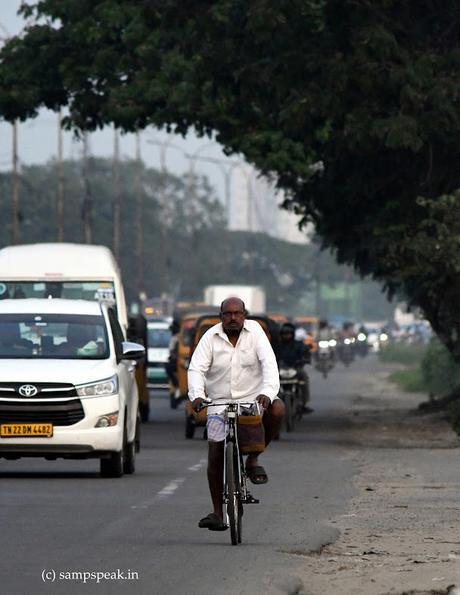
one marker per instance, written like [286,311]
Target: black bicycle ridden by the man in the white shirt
[235,479]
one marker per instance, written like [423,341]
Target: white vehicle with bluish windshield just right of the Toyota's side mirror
[158,338]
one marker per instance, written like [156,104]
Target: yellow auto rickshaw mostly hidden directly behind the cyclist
[200,326]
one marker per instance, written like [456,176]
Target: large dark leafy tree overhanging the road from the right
[351,105]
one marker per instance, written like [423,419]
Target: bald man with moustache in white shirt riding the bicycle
[233,360]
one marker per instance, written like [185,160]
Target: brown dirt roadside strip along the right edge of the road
[401,533]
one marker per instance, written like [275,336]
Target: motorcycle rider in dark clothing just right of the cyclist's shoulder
[295,354]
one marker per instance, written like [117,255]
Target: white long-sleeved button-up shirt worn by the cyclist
[220,371]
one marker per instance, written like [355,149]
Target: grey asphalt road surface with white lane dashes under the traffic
[139,534]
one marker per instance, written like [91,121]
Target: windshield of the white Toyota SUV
[53,336]
